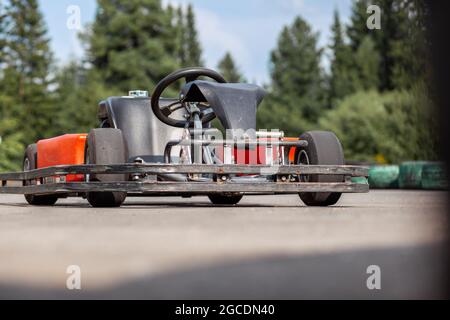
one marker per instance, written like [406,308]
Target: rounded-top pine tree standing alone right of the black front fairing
[297,93]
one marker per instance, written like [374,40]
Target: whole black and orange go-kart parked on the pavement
[155,146]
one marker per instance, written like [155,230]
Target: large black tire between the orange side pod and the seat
[106,146]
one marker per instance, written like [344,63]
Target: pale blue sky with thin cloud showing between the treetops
[247,28]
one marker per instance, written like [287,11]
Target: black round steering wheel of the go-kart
[163,111]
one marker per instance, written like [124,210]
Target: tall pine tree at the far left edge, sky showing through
[28,64]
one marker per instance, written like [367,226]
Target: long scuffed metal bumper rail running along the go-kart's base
[283,179]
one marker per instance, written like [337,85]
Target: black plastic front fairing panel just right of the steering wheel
[233,103]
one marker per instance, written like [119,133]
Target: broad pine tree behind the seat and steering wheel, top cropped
[131,44]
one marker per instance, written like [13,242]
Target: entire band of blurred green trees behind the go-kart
[380,104]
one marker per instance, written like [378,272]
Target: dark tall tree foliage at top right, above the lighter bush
[400,42]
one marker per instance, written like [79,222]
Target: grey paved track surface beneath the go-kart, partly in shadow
[266,247]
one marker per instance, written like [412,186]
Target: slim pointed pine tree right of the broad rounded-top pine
[343,76]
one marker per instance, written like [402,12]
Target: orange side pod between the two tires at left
[63,150]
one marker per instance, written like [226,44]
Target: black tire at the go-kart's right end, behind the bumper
[323,148]
